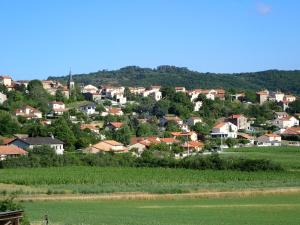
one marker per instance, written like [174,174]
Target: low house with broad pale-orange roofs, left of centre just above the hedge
[106,146]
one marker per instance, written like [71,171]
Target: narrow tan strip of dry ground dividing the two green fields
[149,196]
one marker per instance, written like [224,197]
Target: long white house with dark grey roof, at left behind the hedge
[31,142]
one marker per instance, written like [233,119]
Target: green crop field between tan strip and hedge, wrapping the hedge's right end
[89,180]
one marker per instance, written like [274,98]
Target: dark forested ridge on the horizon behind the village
[287,81]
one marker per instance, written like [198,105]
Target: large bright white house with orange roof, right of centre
[224,129]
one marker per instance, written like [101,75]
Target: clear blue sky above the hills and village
[39,38]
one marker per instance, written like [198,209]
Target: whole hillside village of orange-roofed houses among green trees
[90,119]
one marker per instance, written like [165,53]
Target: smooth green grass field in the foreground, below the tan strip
[255,210]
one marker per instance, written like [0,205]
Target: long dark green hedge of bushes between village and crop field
[46,157]
